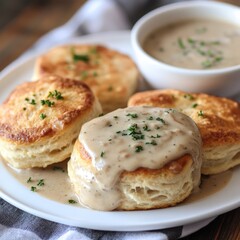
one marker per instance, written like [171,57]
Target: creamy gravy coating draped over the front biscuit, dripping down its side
[125,140]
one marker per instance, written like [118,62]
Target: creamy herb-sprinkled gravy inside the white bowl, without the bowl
[196,44]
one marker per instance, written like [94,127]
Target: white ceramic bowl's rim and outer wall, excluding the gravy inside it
[222,81]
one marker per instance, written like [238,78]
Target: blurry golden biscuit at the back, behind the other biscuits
[110,74]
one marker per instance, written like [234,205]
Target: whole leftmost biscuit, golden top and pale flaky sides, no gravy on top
[40,121]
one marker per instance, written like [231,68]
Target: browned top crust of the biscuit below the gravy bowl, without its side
[218,119]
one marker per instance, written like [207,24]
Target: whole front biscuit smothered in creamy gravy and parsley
[124,176]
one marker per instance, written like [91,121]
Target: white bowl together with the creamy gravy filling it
[190,46]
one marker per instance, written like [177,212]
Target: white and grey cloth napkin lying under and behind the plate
[94,16]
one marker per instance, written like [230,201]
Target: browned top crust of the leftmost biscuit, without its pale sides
[35,110]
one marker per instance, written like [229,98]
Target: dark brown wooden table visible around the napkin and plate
[21,26]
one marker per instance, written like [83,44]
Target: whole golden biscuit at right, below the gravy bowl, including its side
[218,120]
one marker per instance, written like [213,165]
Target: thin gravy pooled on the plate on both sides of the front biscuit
[57,186]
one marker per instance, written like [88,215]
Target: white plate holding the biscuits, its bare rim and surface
[12,191]
